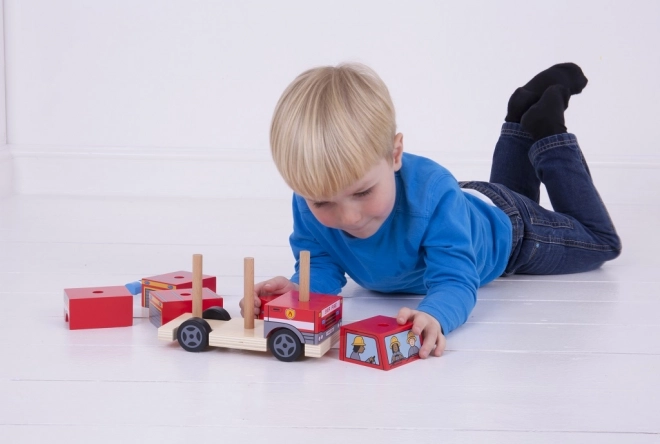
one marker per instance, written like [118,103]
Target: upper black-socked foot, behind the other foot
[569,75]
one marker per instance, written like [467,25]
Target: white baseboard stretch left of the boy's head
[110,171]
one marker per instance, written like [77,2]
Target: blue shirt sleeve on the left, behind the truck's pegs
[326,276]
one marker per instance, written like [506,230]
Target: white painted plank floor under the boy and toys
[568,359]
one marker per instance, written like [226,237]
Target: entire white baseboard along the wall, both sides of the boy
[214,173]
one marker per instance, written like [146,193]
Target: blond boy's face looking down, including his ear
[361,209]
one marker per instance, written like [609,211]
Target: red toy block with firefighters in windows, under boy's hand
[379,342]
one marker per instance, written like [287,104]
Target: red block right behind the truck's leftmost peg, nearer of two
[166,305]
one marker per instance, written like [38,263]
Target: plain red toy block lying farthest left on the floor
[98,307]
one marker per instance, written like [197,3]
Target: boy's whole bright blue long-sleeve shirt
[438,241]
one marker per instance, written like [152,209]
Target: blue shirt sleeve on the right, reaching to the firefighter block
[451,276]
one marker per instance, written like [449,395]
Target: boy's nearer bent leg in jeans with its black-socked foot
[579,235]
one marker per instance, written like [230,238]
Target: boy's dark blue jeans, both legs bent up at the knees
[579,234]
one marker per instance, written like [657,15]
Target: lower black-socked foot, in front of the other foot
[546,117]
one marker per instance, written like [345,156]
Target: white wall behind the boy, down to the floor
[121,81]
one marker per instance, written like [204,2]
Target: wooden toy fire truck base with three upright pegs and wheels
[293,324]
